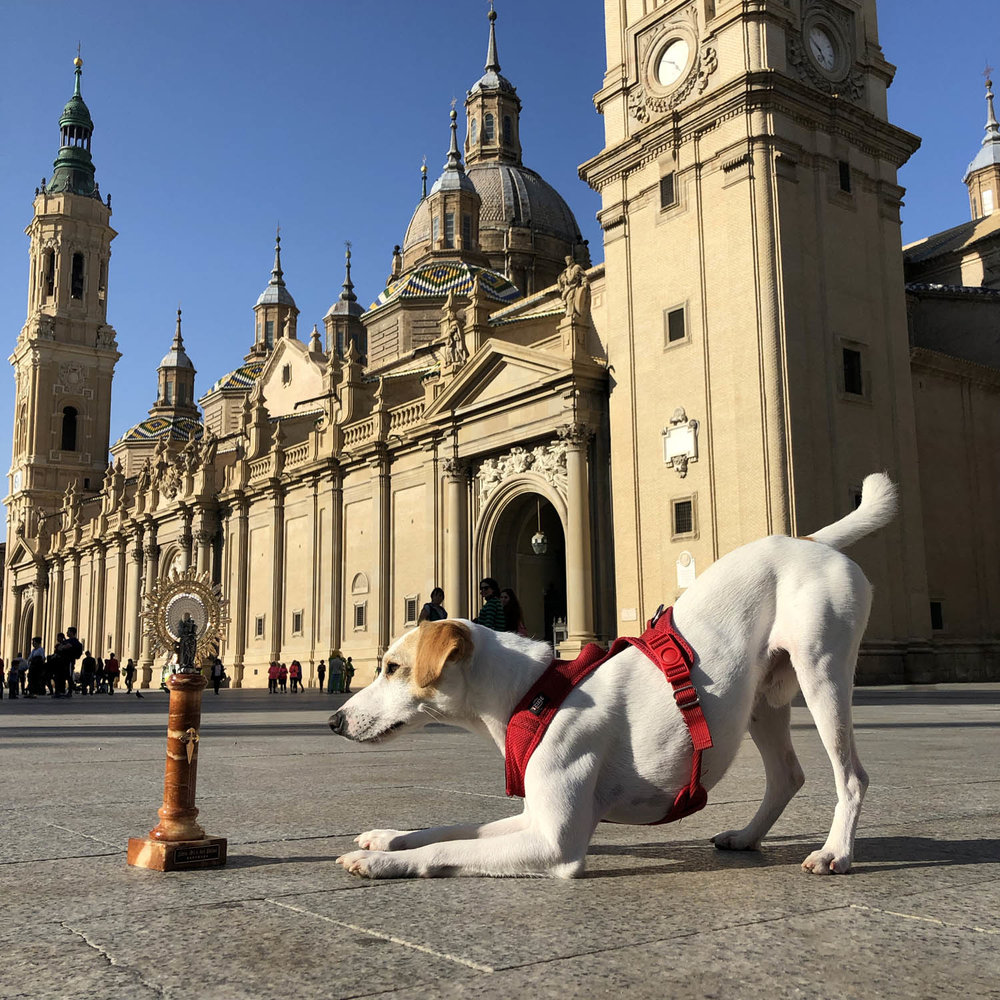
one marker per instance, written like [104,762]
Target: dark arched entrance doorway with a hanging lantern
[538,578]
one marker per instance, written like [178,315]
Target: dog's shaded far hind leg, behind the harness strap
[771,731]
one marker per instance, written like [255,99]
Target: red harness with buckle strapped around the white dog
[666,647]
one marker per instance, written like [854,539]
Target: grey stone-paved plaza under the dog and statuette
[660,914]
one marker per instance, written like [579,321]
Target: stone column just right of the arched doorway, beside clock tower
[579,565]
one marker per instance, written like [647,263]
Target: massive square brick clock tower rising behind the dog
[756,323]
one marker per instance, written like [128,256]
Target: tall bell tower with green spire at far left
[65,355]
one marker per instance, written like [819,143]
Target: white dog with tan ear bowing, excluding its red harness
[775,616]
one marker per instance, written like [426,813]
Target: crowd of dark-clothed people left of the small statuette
[40,674]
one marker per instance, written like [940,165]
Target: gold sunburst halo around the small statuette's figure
[179,592]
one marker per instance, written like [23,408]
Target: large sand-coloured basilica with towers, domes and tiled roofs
[593,435]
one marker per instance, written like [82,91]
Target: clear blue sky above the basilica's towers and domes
[216,121]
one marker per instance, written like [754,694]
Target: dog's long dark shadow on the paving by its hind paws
[871,855]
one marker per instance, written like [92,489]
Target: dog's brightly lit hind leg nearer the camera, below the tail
[827,690]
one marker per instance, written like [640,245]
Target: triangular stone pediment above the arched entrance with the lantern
[497,372]
